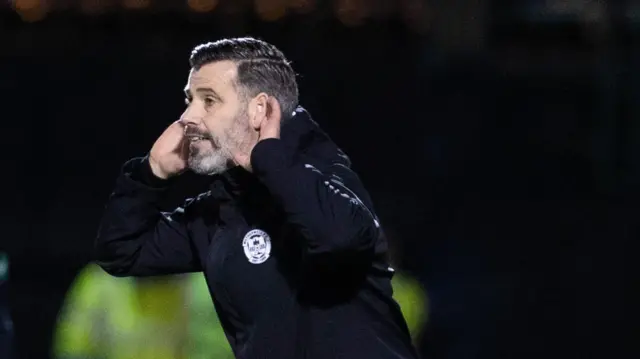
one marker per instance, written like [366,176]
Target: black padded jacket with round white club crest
[293,254]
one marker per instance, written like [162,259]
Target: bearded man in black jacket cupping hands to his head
[286,237]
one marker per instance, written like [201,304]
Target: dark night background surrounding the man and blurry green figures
[499,140]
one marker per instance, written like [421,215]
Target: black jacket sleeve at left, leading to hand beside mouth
[135,237]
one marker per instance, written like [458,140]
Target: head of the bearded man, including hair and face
[229,86]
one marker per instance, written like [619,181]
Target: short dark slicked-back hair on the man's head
[262,67]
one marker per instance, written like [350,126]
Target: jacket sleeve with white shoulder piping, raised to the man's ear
[330,207]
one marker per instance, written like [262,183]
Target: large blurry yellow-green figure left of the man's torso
[143,318]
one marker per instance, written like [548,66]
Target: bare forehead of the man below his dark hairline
[219,75]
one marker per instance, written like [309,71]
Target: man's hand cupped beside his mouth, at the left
[169,154]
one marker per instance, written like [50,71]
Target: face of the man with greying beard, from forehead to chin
[216,119]
